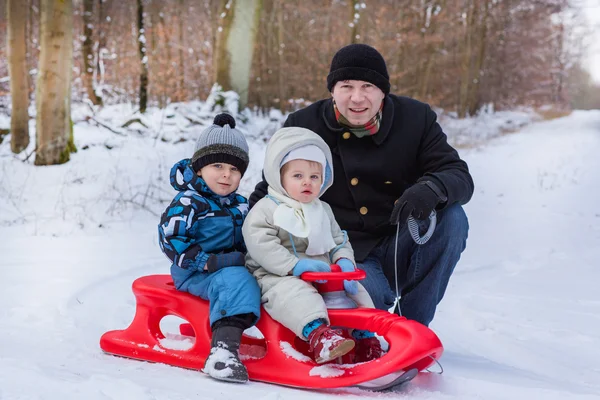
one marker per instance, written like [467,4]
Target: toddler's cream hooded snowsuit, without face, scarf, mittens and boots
[271,254]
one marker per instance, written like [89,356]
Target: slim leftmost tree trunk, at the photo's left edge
[17,67]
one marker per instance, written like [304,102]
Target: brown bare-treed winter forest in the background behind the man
[458,55]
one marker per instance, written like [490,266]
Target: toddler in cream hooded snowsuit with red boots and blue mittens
[291,231]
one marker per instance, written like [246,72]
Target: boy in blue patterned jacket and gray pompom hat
[201,233]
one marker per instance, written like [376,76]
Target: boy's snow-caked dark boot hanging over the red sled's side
[224,362]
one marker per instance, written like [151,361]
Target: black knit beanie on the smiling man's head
[359,62]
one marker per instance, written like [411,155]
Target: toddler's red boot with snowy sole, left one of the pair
[327,344]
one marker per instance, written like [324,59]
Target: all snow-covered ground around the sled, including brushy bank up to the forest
[521,318]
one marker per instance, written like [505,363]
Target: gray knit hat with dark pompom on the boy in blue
[221,142]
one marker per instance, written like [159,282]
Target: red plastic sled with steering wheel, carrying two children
[283,358]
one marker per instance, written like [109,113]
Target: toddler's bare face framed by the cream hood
[302,180]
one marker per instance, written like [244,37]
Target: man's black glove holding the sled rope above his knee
[419,200]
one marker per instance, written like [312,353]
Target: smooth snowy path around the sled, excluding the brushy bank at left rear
[521,318]
